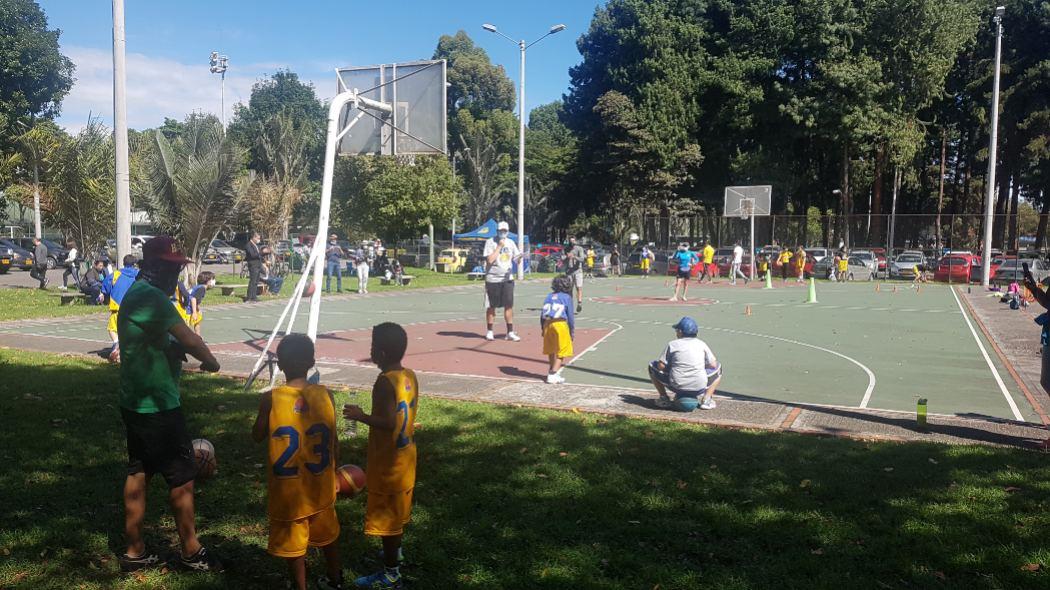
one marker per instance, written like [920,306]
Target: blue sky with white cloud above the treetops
[169,44]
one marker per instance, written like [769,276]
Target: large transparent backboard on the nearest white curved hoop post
[412,120]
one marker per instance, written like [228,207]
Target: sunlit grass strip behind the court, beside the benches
[26,304]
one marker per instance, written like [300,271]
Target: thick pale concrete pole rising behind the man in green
[123,176]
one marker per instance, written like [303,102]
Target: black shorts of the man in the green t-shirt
[159,444]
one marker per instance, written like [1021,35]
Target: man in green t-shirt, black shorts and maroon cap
[154,344]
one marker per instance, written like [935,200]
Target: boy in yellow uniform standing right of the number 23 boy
[392,451]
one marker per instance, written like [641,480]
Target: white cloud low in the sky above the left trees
[157,88]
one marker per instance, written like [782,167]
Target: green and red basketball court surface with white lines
[856,348]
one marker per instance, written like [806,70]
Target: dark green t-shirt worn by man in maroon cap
[150,366]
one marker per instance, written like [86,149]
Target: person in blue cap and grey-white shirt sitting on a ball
[687,368]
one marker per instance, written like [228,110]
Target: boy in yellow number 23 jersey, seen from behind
[299,419]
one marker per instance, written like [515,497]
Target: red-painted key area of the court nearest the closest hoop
[449,347]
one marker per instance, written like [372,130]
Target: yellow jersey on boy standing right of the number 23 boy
[392,454]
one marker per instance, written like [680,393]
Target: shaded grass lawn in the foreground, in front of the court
[517,498]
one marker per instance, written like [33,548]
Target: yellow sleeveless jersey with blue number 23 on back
[303,438]
